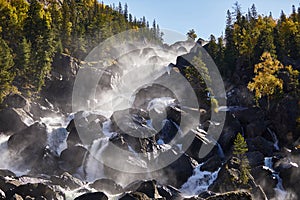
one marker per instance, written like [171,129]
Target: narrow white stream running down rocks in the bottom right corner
[281,194]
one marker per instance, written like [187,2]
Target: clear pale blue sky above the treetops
[204,16]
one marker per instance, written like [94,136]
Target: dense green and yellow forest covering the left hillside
[32,33]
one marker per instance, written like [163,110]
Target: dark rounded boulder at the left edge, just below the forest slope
[11,120]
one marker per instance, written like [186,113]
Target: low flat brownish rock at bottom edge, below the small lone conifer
[236,195]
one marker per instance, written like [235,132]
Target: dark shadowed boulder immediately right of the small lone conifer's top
[260,144]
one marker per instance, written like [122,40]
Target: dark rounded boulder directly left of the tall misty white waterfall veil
[71,158]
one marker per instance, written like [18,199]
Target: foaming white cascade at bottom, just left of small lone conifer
[199,182]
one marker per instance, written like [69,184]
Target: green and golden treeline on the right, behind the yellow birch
[248,35]
